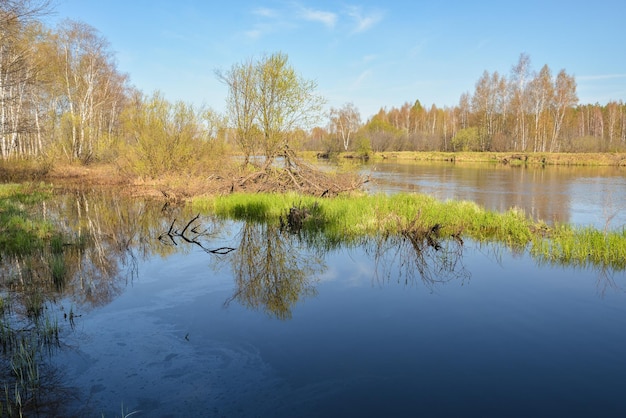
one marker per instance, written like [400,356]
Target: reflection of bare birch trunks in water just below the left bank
[114,234]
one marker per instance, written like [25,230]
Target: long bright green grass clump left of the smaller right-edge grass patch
[349,217]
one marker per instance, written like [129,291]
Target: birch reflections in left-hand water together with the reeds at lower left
[97,239]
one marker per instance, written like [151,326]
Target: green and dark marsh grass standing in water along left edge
[26,326]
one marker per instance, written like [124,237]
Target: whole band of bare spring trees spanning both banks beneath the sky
[62,98]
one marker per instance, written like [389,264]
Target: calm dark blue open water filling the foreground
[482,333]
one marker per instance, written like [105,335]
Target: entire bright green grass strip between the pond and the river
[348,219]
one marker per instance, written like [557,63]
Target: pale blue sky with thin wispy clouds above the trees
[374,54]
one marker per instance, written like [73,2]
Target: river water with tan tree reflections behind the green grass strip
[582,195]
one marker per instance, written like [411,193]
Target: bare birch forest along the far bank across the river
[526,111]
